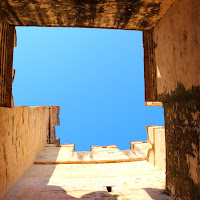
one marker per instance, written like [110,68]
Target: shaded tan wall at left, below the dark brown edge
[23,134]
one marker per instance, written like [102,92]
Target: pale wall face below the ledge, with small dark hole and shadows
[137,180]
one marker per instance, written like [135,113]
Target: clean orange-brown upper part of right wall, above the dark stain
[177,38]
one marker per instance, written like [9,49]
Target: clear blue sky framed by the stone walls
[96,76]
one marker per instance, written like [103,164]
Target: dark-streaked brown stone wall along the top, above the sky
[115,14]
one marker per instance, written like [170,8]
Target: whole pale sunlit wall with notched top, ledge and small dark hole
[57,170]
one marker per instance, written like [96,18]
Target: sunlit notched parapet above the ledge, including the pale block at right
[152,150]
